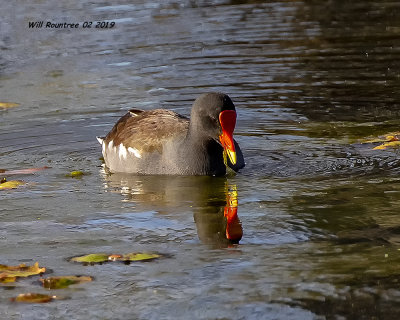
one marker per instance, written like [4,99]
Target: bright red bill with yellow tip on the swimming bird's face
[227,119]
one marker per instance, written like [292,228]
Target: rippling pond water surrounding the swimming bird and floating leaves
[319,210]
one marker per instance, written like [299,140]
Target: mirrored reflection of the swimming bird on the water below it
[212,200]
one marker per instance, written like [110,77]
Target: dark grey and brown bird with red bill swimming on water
[163,142]
